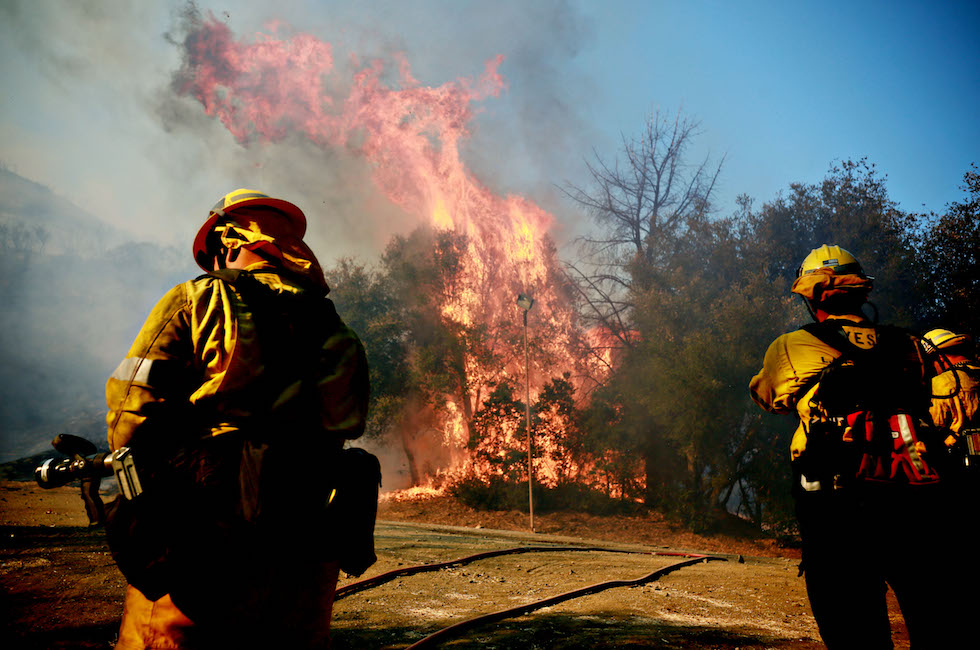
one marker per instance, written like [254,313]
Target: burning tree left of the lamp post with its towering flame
[449,286]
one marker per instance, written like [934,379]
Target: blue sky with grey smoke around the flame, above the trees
[782,89]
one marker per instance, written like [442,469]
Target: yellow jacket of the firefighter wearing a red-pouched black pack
[792,362]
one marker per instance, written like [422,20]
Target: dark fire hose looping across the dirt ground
[463,626]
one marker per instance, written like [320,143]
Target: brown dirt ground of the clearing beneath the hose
[61,590]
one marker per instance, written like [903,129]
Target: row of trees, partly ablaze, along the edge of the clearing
[674,307]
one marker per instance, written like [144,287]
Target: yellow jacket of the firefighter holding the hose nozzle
[197,366]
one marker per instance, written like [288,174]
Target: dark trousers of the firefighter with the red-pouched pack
[858,542]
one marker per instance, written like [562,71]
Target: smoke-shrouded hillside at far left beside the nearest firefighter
[74,291]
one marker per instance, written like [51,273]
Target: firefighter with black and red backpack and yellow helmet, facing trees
[857,540]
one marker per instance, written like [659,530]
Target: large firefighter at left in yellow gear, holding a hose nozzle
[225,354]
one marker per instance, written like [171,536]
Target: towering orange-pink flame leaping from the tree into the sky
[411,134]
